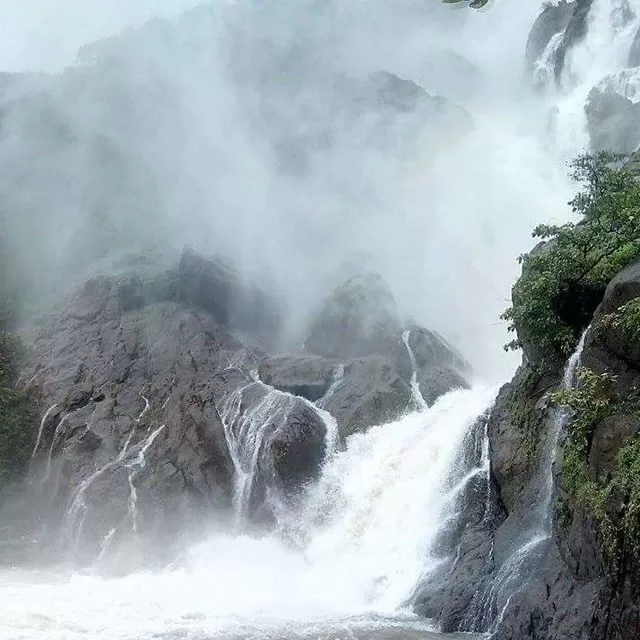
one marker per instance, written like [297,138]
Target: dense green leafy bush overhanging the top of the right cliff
[563,282]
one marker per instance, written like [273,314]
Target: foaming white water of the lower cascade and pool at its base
[367,529]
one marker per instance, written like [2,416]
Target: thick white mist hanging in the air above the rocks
[255,130]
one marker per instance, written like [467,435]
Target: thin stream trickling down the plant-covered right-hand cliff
[513,571]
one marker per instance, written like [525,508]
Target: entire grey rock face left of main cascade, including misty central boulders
[164,408]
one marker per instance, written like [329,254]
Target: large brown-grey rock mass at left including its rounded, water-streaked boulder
[129,377]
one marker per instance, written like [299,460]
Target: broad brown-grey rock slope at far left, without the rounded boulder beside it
[108,351]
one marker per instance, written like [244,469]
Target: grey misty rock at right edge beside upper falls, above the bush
[613,120]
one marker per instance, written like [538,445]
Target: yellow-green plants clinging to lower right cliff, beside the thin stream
[612,501]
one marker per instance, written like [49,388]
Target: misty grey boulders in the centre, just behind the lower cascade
[361,338]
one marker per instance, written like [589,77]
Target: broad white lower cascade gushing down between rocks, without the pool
[379,505]
